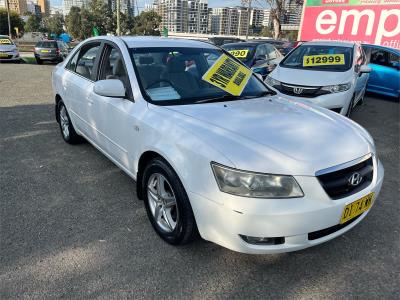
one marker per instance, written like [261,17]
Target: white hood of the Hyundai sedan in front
[276,135]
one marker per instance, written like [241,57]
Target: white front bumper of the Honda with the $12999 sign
[338,102]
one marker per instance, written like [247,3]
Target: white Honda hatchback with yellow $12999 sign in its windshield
[330,74]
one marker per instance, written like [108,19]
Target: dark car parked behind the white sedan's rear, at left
[50,50]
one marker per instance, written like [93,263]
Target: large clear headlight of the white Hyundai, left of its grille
[256,185]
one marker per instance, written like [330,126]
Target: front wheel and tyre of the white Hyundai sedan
[167,204]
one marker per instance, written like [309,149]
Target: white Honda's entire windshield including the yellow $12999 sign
[320,58]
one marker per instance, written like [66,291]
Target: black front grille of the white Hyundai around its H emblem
[337,184]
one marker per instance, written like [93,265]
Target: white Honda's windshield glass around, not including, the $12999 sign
[295,59]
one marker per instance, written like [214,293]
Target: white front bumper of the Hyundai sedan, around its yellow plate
[294,219]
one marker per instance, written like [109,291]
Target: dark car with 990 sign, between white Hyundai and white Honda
[260,56]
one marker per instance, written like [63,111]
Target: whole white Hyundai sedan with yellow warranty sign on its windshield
[213,151]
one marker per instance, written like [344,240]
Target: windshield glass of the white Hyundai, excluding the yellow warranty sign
[173,76]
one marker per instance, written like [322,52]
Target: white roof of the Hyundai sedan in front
[146,42]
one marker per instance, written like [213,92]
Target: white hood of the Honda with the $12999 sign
[310,78]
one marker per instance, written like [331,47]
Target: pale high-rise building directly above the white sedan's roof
[182,15]
